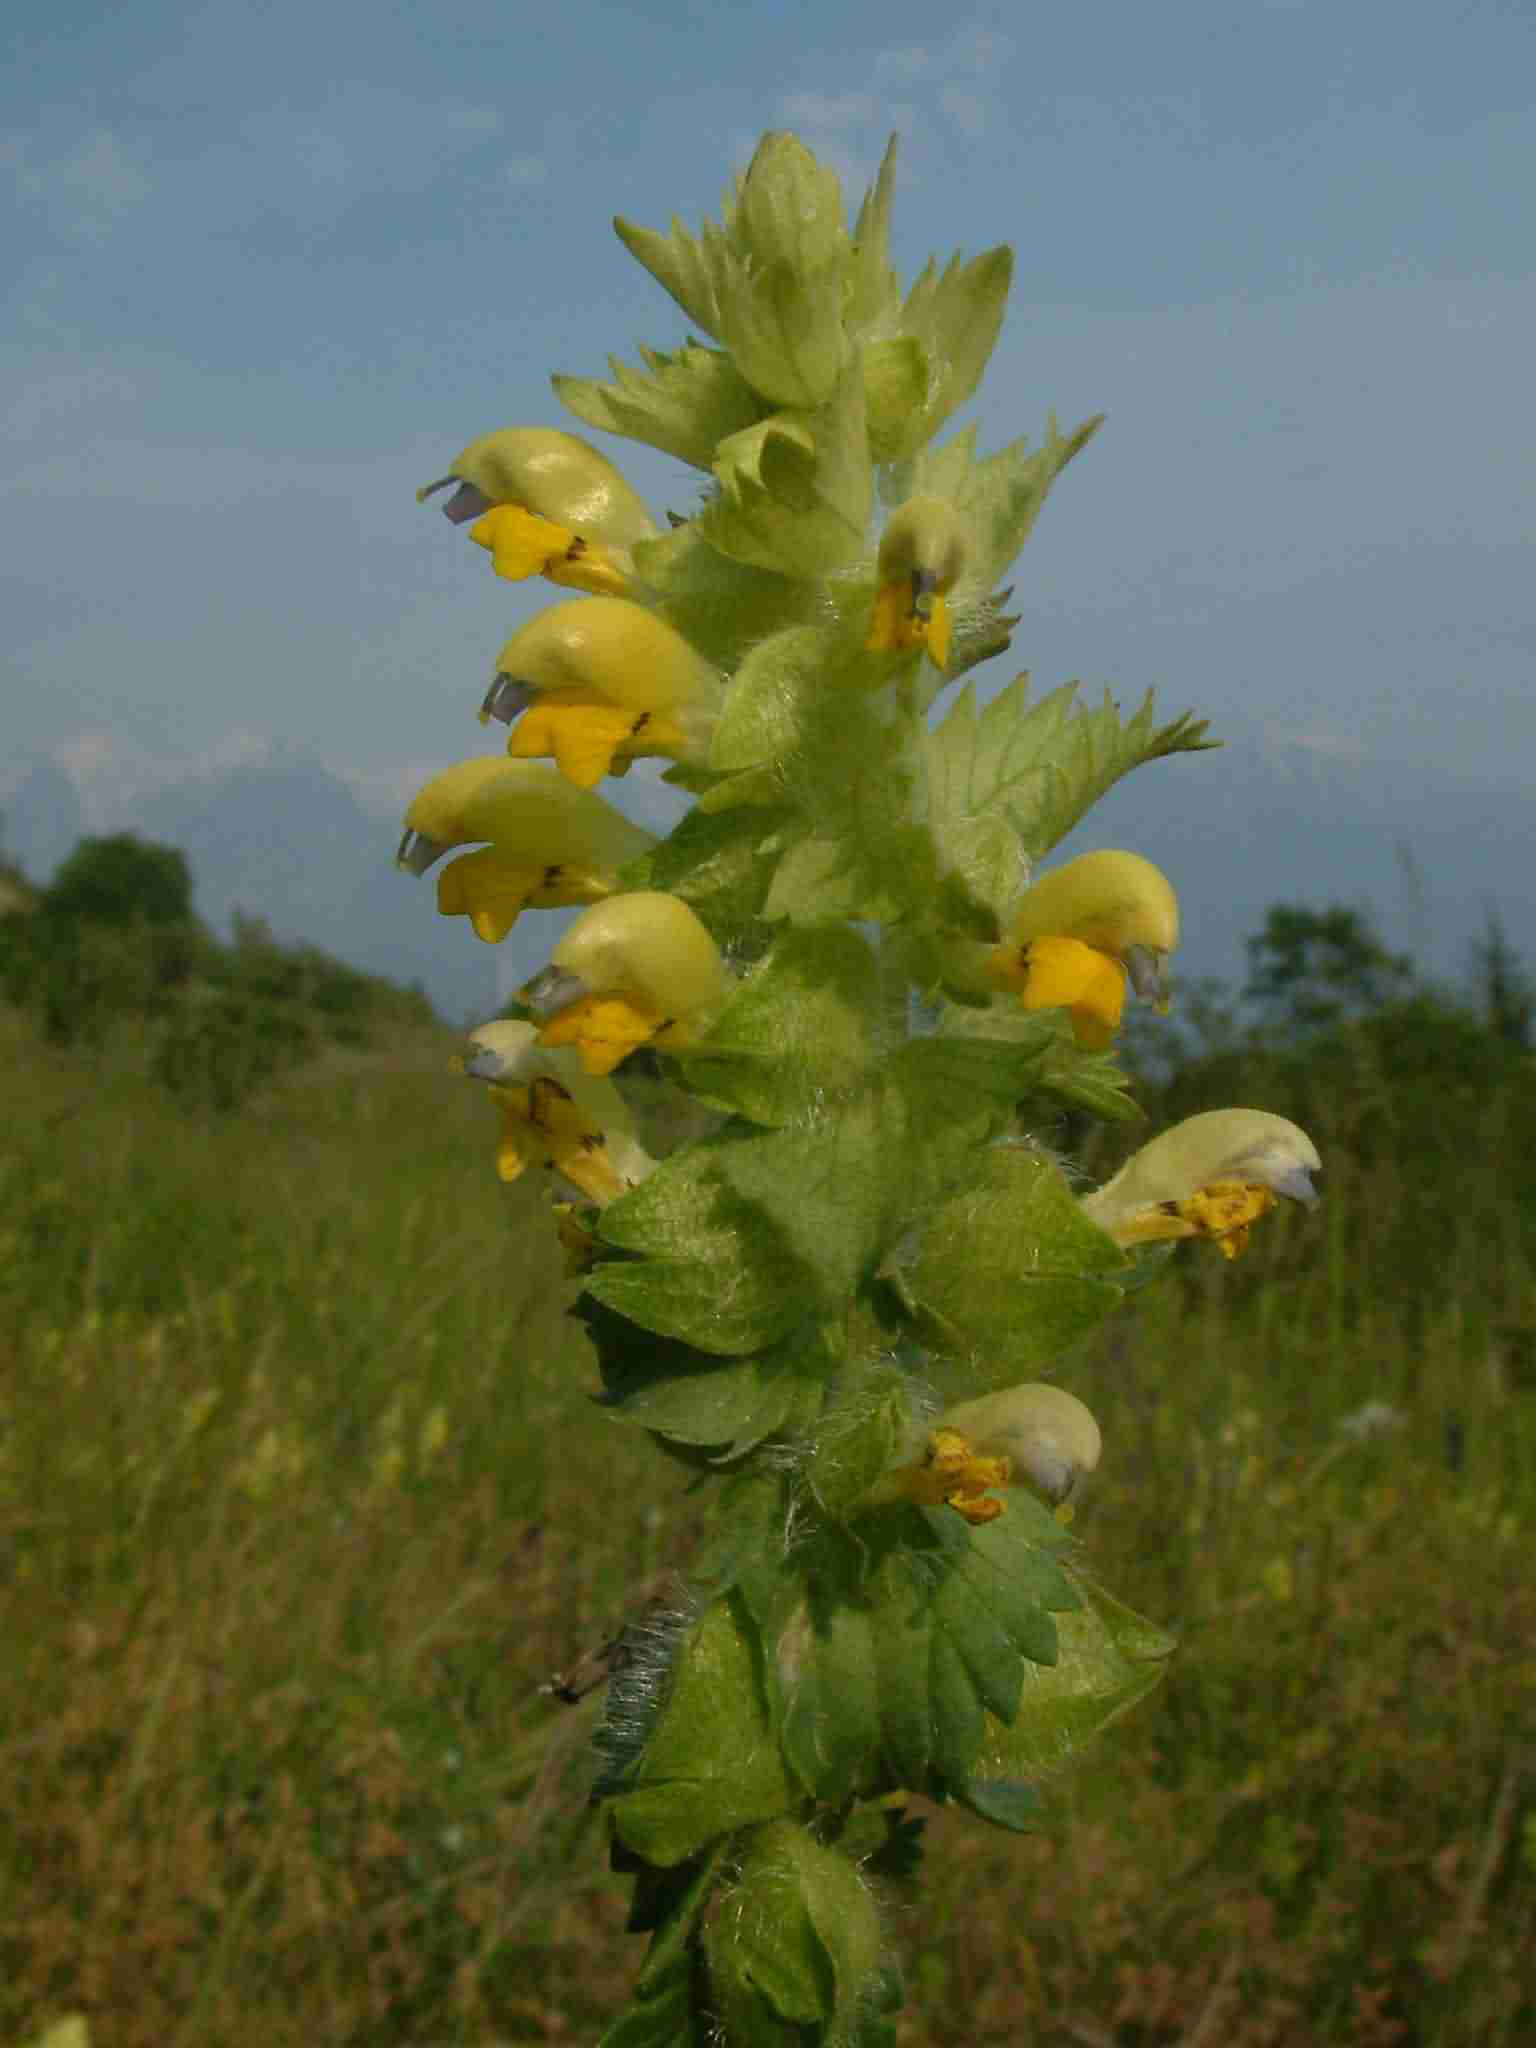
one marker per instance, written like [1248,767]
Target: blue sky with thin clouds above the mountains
[273,267]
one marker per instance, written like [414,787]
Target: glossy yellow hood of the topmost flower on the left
[556,476]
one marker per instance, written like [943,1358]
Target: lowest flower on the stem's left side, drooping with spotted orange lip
[556,1115]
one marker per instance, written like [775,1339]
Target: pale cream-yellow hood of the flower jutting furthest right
[1248,1148]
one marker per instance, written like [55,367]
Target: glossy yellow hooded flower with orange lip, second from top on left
[599,683]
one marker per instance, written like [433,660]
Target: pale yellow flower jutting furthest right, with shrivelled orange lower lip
[1211,1177]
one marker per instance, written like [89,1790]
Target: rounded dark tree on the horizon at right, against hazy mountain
[1316,968]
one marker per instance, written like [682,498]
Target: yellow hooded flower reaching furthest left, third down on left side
[550,843]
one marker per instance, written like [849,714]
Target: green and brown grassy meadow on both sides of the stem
[302,1504]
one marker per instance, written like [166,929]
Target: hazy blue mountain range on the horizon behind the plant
[1263,820]
